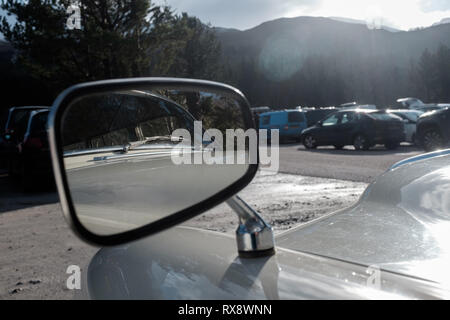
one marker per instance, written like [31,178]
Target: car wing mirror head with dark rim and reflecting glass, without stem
[129,158]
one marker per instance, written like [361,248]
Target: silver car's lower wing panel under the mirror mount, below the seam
[190,264]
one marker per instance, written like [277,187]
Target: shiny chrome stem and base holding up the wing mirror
[254,236]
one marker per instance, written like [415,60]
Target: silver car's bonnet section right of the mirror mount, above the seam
[400,224]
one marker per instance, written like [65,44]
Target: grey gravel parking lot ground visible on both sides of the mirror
[36,245]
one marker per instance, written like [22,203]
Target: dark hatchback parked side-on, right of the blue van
[361,128]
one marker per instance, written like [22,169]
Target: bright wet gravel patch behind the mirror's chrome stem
[285,201]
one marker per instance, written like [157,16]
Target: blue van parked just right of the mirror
[290,123]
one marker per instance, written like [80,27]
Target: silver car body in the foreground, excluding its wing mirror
[393,244]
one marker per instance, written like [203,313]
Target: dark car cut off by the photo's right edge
[433,129]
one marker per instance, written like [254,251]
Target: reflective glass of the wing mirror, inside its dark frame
[136,156]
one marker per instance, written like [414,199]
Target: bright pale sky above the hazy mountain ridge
[244,14]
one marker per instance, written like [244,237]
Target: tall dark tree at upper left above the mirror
[113,40]
